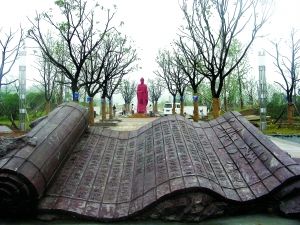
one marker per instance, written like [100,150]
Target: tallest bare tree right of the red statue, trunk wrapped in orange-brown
[212,26]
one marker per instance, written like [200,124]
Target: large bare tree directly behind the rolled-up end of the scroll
[76,30]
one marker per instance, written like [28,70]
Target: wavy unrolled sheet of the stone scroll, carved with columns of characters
[114,175]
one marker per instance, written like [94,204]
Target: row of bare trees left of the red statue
[80,49]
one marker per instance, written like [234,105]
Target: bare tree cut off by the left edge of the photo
[10,45]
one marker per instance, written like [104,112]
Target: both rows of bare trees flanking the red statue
[81,49]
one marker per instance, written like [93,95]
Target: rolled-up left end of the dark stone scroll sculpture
[26,172]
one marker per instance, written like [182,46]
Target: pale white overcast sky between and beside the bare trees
[153,24]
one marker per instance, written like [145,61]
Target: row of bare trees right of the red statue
[208,53]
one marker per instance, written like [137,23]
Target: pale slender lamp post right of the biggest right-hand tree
[262,90]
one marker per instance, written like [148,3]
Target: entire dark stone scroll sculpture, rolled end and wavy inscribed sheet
[111,175]
